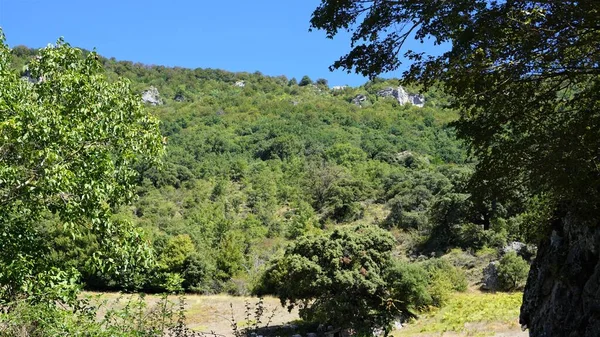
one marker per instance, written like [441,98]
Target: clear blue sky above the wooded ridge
[270,36]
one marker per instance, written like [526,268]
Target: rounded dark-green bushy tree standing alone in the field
[346,278]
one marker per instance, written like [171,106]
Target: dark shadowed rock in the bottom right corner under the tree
[562,295]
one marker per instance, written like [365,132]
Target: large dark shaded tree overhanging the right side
[526,77]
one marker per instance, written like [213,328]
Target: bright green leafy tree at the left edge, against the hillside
[70,141]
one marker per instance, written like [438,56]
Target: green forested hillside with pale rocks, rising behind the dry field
[253,162]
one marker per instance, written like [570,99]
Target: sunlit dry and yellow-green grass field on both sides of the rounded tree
[466,314]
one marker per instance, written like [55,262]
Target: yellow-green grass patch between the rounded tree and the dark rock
[471,314]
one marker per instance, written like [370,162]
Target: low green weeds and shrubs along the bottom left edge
[90,317]
